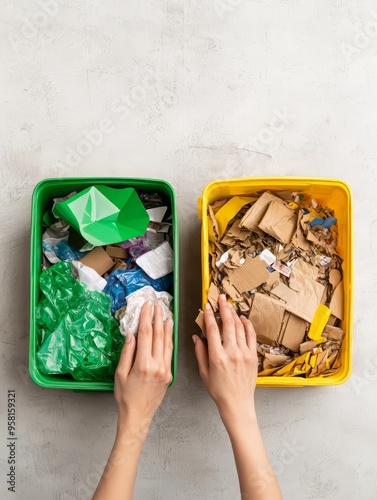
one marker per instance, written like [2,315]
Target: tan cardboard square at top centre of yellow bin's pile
[279,221]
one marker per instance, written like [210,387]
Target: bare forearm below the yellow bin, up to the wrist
[256,476]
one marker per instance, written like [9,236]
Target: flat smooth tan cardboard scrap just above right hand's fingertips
[250,275]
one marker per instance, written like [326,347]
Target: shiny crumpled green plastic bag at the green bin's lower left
[77,334]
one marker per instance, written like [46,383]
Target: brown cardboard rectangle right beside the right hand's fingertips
[266,316]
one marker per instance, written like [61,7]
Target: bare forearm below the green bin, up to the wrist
[118,478]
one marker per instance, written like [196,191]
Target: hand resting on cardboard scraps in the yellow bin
[228,369]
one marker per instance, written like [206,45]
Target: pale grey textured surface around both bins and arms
[203,86]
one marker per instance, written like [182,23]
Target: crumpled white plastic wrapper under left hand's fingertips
[129,323]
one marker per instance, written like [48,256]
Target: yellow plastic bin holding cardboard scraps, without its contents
[331,192]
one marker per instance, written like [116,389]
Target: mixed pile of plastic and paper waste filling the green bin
[106,251]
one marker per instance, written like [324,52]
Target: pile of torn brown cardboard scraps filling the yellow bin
[275,257]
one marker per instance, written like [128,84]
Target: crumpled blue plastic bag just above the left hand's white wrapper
[122,283]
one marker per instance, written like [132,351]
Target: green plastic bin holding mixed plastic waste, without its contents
[43,195]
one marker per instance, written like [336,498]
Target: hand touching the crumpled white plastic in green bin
[140,385]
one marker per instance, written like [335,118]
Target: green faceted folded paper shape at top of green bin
[105,215]
